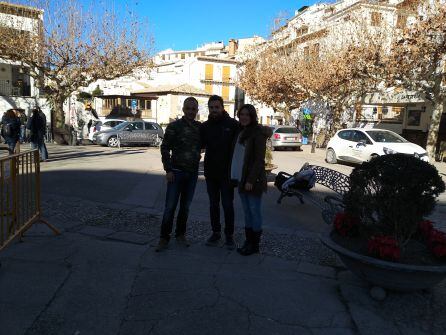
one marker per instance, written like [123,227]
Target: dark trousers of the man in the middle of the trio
[221,189]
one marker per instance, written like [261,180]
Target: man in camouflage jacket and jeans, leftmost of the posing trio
[181,153]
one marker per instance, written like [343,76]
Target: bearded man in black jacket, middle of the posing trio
[218,135]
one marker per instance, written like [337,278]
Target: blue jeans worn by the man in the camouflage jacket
[182,189]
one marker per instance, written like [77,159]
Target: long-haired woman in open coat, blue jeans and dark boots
[248,169]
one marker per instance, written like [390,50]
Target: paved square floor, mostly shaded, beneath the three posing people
[101,275]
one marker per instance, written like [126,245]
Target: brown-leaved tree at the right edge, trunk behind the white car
[418,62]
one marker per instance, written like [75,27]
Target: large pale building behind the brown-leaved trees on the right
[323,26]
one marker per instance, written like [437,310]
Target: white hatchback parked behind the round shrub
[357,145]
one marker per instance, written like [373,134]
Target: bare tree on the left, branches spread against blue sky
[73,45]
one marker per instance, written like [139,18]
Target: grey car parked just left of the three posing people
[130,133]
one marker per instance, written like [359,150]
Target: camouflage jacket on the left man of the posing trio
[181,147]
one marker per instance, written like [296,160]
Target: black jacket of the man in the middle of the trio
[218,137]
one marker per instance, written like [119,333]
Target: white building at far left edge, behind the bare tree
[17,88]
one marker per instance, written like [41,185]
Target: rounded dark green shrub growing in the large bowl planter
[392,194]
